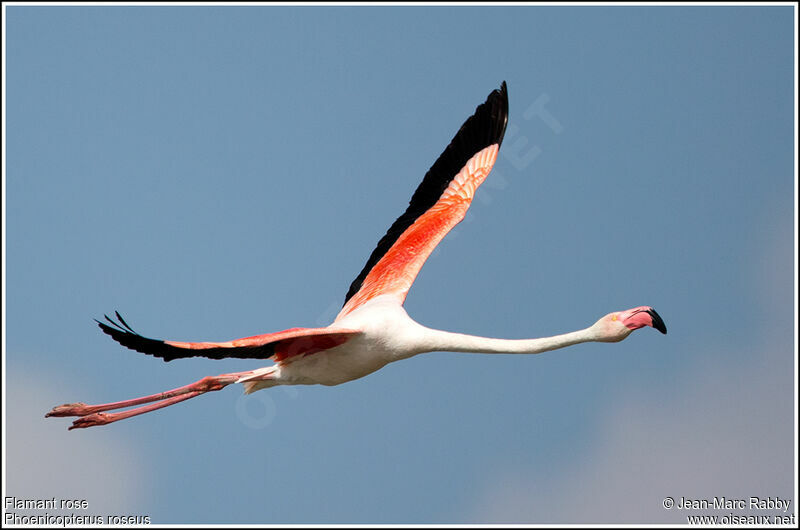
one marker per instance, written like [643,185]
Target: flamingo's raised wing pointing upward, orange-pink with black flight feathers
[439,203]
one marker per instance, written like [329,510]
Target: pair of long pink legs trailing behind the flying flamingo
[92,413]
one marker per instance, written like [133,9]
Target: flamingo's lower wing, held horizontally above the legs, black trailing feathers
[279,346]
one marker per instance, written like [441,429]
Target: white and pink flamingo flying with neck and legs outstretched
[372,329]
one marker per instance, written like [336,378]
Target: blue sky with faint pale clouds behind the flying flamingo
[220,172]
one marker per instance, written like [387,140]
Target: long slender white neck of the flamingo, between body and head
[436,340]
